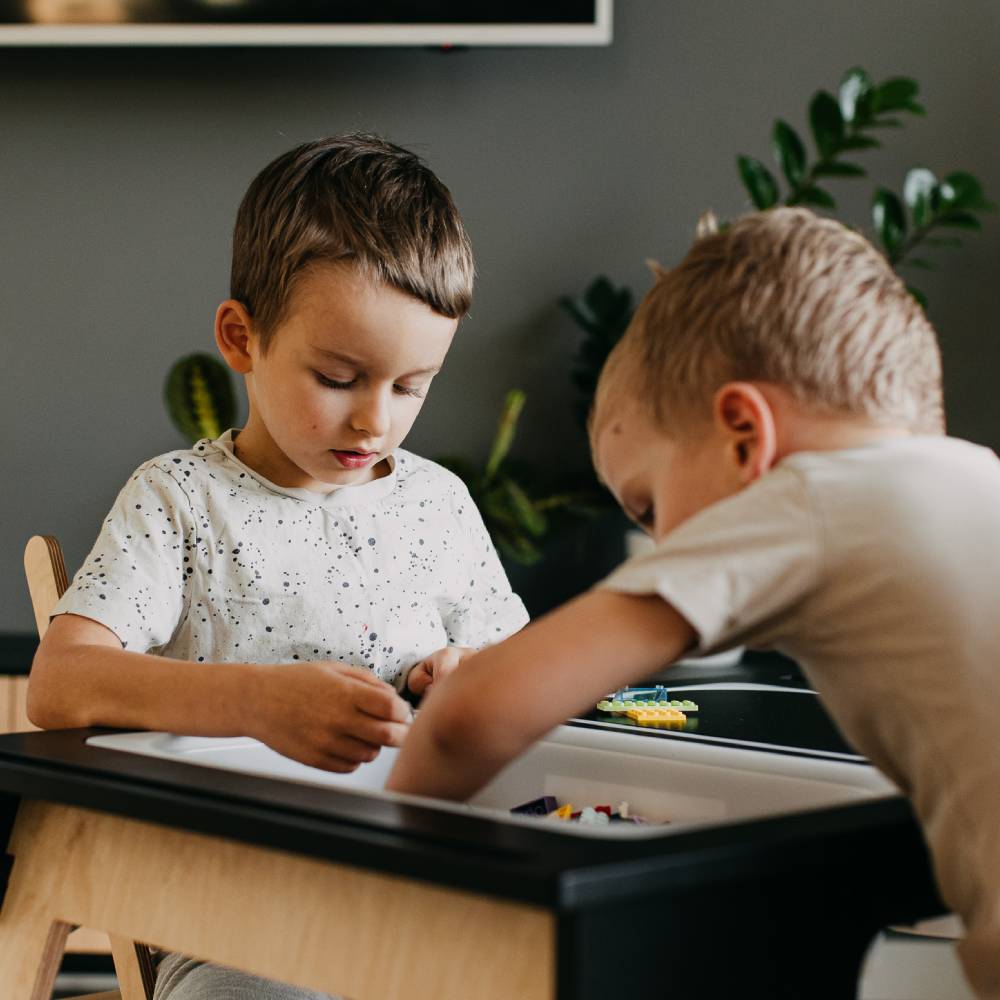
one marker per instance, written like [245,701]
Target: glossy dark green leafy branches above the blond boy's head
[844,124]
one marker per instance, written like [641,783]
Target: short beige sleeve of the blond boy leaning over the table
[739,570]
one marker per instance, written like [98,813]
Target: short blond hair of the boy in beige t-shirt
[784,297]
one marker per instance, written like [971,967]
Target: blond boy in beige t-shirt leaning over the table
[773,419]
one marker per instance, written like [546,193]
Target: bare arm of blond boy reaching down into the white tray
[509,695]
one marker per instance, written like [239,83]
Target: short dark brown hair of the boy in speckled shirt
[356,199]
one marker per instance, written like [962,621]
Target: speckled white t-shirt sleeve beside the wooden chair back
[134,579]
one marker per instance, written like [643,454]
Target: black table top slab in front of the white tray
[876,838]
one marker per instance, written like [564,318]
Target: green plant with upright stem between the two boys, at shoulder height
[505,491]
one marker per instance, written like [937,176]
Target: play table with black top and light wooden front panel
[377,900]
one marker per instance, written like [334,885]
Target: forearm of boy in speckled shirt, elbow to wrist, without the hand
[98,685]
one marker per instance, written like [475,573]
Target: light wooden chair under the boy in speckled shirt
[45,569]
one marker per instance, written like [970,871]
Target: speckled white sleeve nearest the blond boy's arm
[488,610]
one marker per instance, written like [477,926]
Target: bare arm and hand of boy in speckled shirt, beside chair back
[325,714]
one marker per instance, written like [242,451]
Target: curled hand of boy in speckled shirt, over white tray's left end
[329,715]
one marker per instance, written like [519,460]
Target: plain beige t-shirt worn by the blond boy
[878,570]
